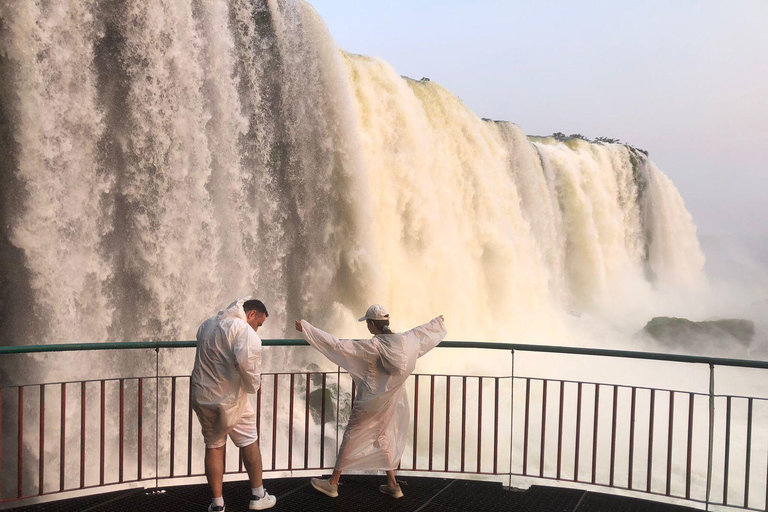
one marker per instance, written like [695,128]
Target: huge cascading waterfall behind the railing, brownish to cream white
[160,158]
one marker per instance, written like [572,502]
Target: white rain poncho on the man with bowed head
[227,368]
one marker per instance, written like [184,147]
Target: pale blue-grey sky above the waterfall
[686,80]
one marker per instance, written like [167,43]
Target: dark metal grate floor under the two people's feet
[360,493]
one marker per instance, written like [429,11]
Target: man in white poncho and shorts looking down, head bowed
[227,369]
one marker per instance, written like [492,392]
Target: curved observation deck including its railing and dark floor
[508,427]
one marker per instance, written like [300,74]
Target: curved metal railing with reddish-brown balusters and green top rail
[702,447]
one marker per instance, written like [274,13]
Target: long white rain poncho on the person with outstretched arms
[378,425]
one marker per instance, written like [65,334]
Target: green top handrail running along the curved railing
[492,345]
